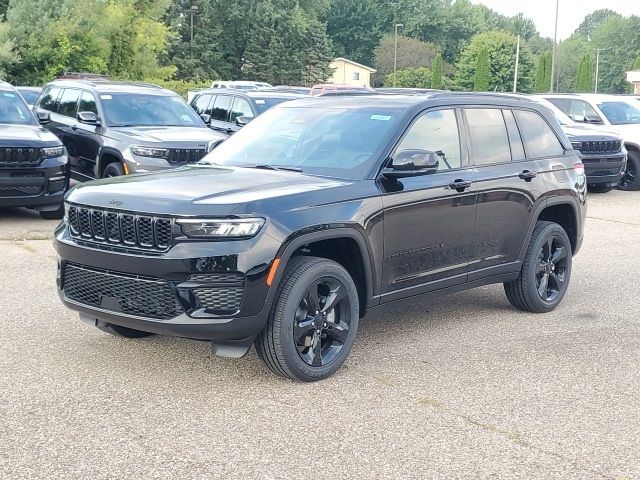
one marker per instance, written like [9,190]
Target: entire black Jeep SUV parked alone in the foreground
[322,209]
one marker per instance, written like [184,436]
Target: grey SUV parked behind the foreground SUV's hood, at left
[112,128]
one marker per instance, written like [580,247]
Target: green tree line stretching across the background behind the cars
[450,44]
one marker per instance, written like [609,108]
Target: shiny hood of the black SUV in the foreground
[200,190]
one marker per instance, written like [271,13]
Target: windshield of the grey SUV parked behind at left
[138,110]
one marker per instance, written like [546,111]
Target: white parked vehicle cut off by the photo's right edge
[614,113]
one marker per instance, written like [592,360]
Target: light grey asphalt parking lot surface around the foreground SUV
[464,386]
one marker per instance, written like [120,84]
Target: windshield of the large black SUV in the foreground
[335,142]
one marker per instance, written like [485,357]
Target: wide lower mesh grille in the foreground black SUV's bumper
[119,292]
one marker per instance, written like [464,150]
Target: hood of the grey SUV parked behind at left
[165,135]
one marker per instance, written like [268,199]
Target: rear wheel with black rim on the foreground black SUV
[529,292]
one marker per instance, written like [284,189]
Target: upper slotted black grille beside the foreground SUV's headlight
[108,227]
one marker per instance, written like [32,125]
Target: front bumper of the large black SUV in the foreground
[175,269]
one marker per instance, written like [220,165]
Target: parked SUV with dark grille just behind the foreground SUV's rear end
[603,153]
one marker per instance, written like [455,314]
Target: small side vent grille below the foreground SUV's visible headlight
[220,292]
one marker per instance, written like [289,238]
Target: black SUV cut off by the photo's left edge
[33,163]
